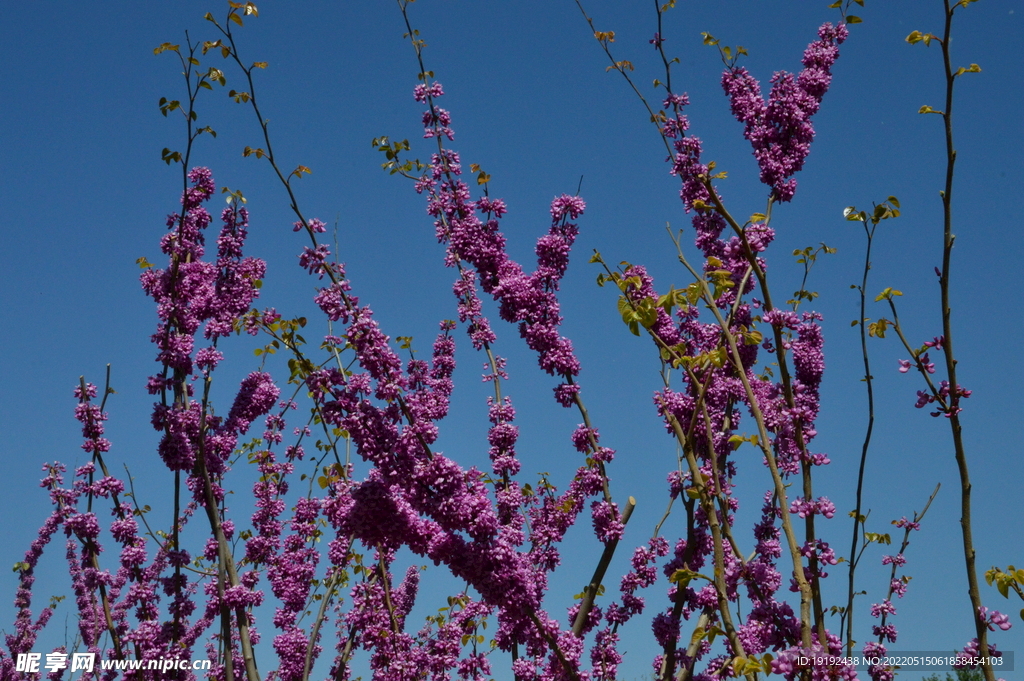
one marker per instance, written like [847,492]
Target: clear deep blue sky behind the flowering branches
[84,194]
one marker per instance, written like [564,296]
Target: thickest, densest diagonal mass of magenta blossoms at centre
[417,498]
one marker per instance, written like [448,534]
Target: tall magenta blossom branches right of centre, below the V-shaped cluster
[713,394]
